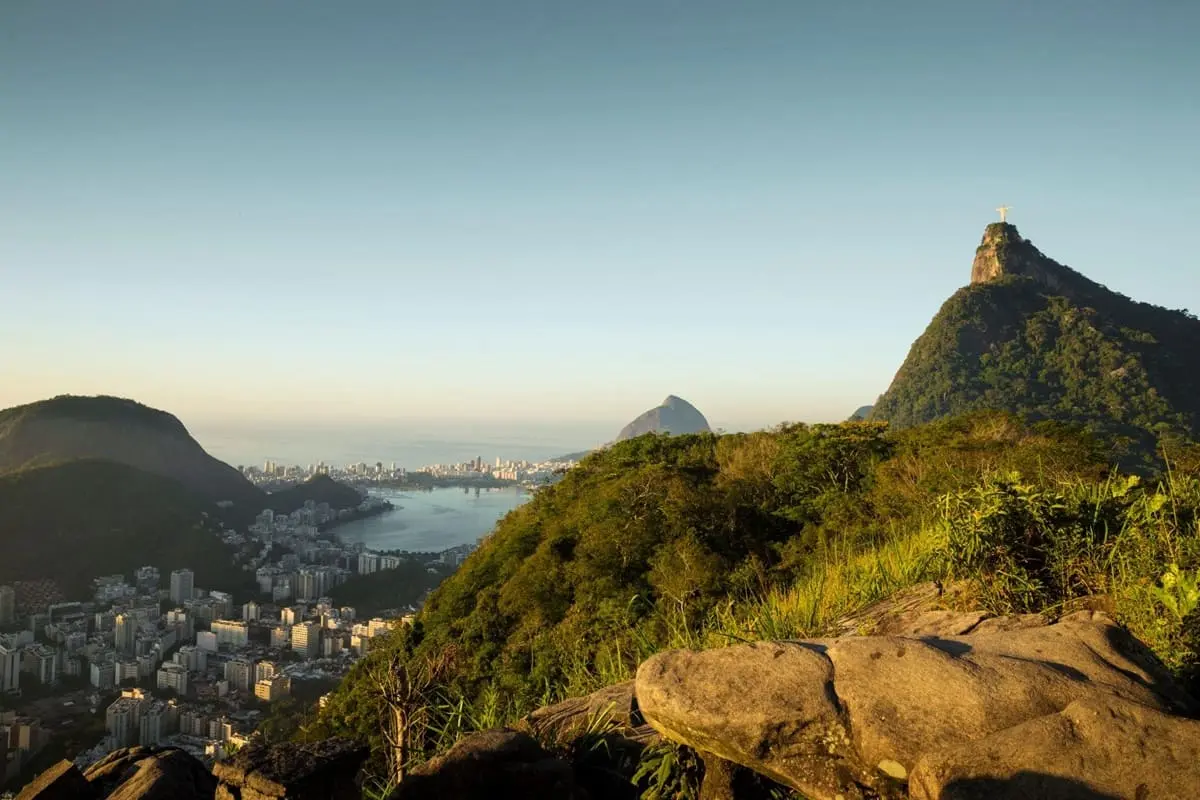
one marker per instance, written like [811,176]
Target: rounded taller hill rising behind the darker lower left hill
[111,429]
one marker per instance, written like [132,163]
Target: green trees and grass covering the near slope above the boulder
[703,542]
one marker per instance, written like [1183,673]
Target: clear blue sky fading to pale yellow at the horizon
[560,210]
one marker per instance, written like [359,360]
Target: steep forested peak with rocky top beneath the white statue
[1039,339]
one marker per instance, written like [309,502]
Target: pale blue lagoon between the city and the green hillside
[434,521]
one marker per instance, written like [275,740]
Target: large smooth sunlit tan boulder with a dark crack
[854,718]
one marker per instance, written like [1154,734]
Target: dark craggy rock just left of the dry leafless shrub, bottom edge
[326,771]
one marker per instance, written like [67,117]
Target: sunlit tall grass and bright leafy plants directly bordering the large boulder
[1019,546]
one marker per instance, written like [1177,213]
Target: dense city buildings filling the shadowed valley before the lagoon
[153,659]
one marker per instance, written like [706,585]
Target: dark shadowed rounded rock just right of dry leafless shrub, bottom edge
[495,765]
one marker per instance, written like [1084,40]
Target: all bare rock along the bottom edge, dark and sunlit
[915,702]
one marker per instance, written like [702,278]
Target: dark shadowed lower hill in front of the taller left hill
[81,520]
